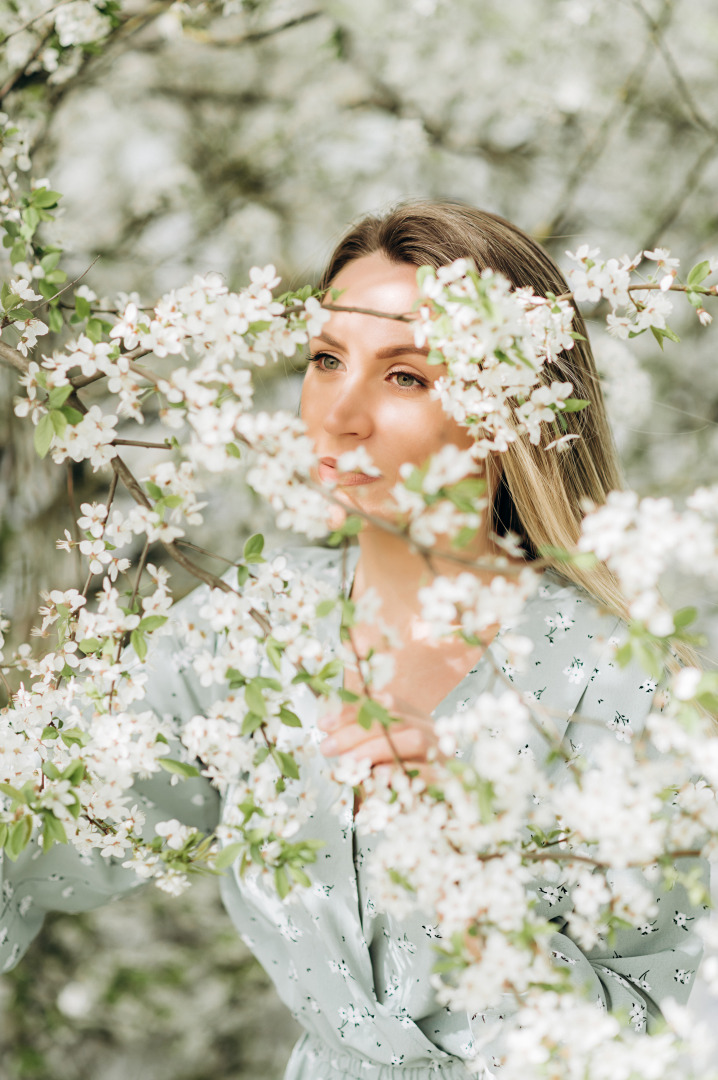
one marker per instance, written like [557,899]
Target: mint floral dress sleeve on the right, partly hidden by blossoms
[594,703]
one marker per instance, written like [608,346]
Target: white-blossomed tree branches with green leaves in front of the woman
[77,733]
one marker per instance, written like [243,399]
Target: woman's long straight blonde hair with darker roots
[538,494]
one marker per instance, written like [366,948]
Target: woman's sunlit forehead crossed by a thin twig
[378,285]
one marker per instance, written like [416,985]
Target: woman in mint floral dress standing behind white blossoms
[358,980]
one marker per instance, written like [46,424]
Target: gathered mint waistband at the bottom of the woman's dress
[314,1060]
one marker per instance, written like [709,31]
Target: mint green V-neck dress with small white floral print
[356,979]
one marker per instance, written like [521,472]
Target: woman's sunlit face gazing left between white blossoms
[368,385]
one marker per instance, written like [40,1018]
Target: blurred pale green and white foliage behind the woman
[214,138]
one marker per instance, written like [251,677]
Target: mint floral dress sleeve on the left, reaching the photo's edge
[63,880]
